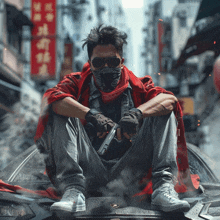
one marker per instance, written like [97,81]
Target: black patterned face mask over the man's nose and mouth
[107,78]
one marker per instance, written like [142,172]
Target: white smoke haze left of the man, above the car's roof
[17,132]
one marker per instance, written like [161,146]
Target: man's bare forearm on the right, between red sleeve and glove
[162,104]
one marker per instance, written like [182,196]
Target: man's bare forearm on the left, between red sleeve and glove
[70,108]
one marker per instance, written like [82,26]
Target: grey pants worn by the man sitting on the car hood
[72,161]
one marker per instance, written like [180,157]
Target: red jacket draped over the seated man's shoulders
[76,86]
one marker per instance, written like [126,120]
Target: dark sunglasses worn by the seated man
[99,62]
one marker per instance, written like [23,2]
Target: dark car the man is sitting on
[28,171]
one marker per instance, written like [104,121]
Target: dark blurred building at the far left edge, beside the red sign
[13,21]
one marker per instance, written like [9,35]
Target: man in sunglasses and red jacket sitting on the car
[81,109]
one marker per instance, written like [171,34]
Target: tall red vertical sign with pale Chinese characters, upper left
[43,43]
